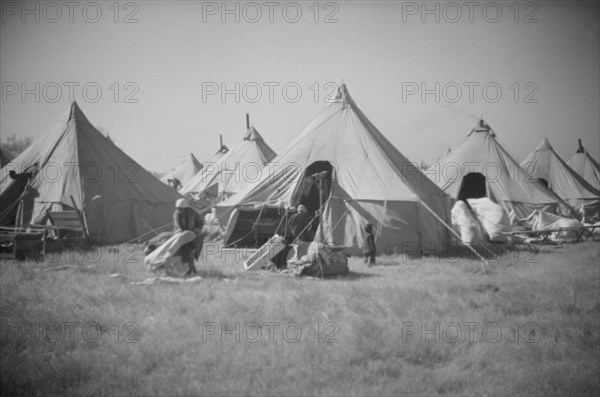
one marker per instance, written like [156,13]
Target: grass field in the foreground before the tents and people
[432,326]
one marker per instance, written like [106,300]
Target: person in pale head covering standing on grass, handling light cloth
[187,218]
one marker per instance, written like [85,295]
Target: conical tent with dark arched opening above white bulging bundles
[480,167]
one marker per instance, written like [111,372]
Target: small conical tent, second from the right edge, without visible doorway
[546,165]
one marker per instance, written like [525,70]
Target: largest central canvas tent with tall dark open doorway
[362,178]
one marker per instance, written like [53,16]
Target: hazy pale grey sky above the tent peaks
[158,74]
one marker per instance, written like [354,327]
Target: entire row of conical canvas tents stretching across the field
[340,166]
